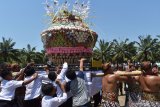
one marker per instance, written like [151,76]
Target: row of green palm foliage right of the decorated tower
[147,49]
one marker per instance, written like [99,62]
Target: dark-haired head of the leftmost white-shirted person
[6,74]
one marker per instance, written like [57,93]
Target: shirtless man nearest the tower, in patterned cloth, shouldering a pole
[109,86]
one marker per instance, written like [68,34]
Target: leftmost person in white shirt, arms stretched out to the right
[9,85]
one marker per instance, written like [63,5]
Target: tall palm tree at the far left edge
[7,51]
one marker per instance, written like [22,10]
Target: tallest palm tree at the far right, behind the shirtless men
[147,48]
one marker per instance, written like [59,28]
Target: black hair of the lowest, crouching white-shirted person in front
[47,88]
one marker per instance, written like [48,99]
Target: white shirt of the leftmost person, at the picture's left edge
[8,89]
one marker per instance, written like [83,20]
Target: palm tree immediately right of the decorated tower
[102,52]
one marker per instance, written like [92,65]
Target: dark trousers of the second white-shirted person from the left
[33,103]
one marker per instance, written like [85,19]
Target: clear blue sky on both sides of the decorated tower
[24,20]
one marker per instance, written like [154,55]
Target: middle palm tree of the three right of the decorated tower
[123,51]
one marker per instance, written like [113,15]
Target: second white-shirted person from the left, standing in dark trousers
[33,90]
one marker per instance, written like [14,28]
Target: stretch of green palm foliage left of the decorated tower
[20,56]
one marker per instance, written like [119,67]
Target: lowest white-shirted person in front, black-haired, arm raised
[48,100]
